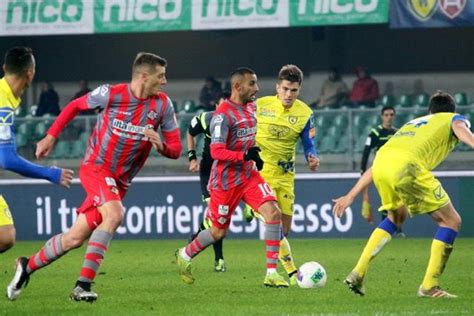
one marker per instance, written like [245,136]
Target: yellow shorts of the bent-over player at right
[401,181]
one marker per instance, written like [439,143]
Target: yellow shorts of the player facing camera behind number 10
[284,188]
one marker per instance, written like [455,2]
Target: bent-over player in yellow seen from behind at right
[402,175]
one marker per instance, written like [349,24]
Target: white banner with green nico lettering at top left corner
[32,17]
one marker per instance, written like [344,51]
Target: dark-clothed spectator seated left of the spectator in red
[333,91]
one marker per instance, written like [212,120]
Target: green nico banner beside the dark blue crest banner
[336,12]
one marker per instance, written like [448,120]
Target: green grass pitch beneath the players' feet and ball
[139,278]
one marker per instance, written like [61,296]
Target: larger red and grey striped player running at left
[124,135]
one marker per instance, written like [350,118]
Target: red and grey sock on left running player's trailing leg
[51,251]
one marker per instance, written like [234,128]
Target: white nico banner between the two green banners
[224,14]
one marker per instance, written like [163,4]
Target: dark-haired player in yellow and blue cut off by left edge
[19,68]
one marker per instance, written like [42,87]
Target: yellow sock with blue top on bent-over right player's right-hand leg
[441,248]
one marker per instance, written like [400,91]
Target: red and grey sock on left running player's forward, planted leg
[98,245]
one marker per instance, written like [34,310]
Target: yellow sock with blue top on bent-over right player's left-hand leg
[380,236]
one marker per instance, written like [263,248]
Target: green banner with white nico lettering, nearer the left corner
[123,16]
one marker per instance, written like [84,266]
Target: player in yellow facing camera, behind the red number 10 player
[282,120]
